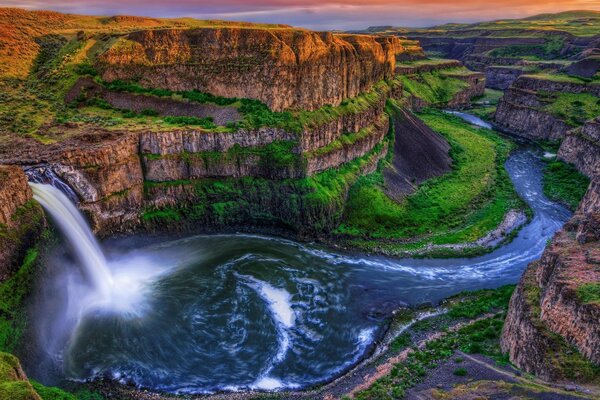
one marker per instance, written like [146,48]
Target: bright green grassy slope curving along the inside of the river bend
[460,206]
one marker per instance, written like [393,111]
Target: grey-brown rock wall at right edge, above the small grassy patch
[581,148]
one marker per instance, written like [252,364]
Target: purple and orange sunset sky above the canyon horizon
[318,14]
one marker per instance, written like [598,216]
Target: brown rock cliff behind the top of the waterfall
[102,167]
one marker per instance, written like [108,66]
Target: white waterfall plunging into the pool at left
[77,232]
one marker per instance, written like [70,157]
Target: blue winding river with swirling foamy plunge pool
[235,312]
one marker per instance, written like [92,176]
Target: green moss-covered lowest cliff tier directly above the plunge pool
[312,204]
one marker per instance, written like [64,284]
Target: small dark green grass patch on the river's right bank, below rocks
[564,183]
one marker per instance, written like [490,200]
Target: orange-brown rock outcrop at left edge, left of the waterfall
[21,220]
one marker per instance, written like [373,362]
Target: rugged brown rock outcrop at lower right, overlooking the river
[547,312]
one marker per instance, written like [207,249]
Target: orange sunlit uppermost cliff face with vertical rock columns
[283,68]
